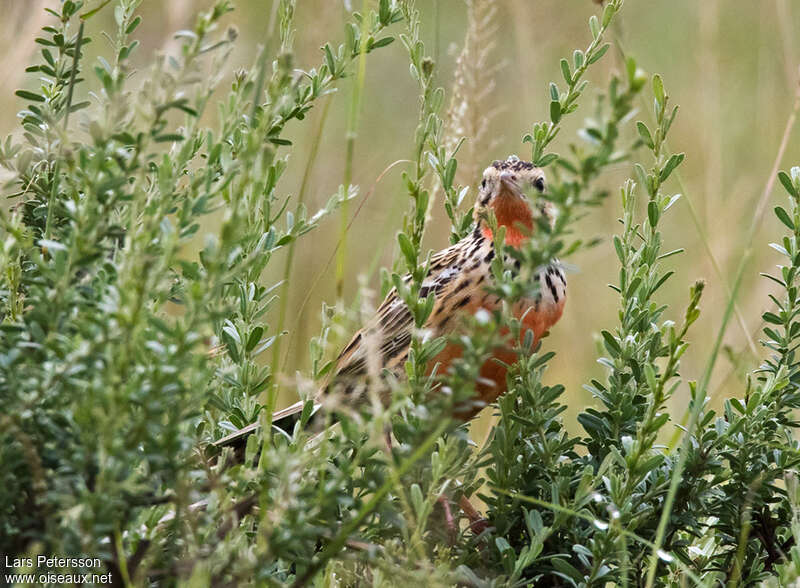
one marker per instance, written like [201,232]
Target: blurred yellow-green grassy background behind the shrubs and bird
[731,65]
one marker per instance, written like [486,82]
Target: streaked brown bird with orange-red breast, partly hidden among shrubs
[457,277]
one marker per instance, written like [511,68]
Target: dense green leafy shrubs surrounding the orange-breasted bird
[131,339]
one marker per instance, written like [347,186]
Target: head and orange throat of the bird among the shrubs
[505,189]
